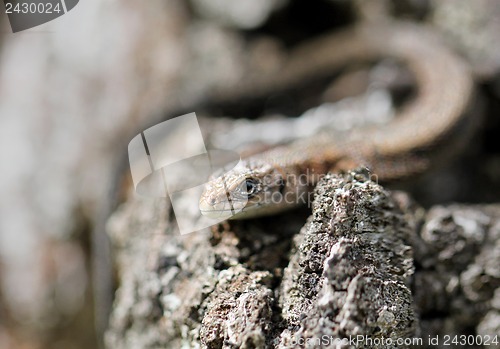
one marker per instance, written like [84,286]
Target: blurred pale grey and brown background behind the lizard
[72,91]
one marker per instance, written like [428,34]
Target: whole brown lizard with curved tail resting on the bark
[427,129]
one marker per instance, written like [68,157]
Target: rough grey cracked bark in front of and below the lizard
[367,262]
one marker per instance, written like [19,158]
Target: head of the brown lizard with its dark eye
[253,188]
